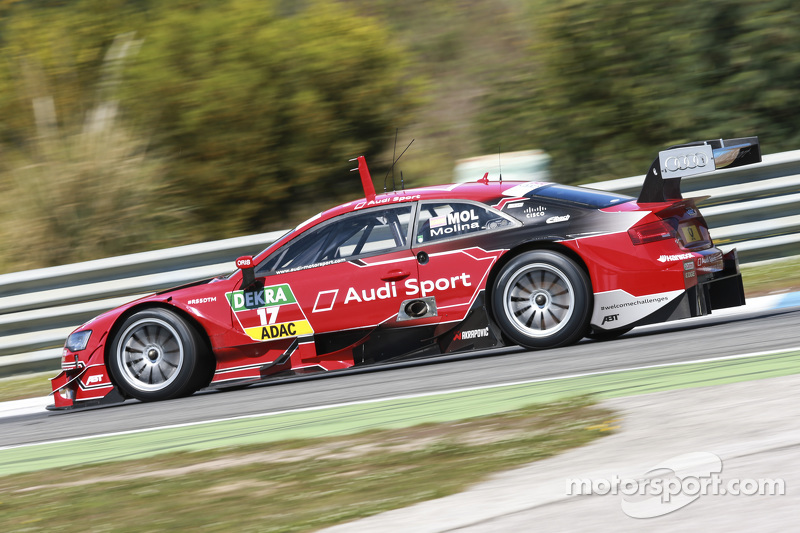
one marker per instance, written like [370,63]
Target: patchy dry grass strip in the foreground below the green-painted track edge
[298,485]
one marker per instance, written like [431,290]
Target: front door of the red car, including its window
[346,273]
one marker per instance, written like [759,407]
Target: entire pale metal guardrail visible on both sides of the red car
[753,208]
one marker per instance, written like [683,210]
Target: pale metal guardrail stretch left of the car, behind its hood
[39,308]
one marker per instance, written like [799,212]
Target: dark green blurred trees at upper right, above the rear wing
[610,83]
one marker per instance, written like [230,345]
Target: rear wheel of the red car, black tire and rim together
[542,299]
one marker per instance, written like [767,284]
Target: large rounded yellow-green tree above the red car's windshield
[259,108]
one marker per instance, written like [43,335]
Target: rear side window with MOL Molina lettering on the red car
[444,220]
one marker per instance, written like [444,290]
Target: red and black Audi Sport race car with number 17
[421,272]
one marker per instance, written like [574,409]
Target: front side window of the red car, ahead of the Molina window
[351,235]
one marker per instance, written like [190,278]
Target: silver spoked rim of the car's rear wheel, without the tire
[539,300]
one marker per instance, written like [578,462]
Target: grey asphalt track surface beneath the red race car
[690,340]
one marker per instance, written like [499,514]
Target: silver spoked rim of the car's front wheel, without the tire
[150,354]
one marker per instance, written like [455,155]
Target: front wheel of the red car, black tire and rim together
[156,355]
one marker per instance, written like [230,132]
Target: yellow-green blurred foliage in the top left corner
[56,50]
